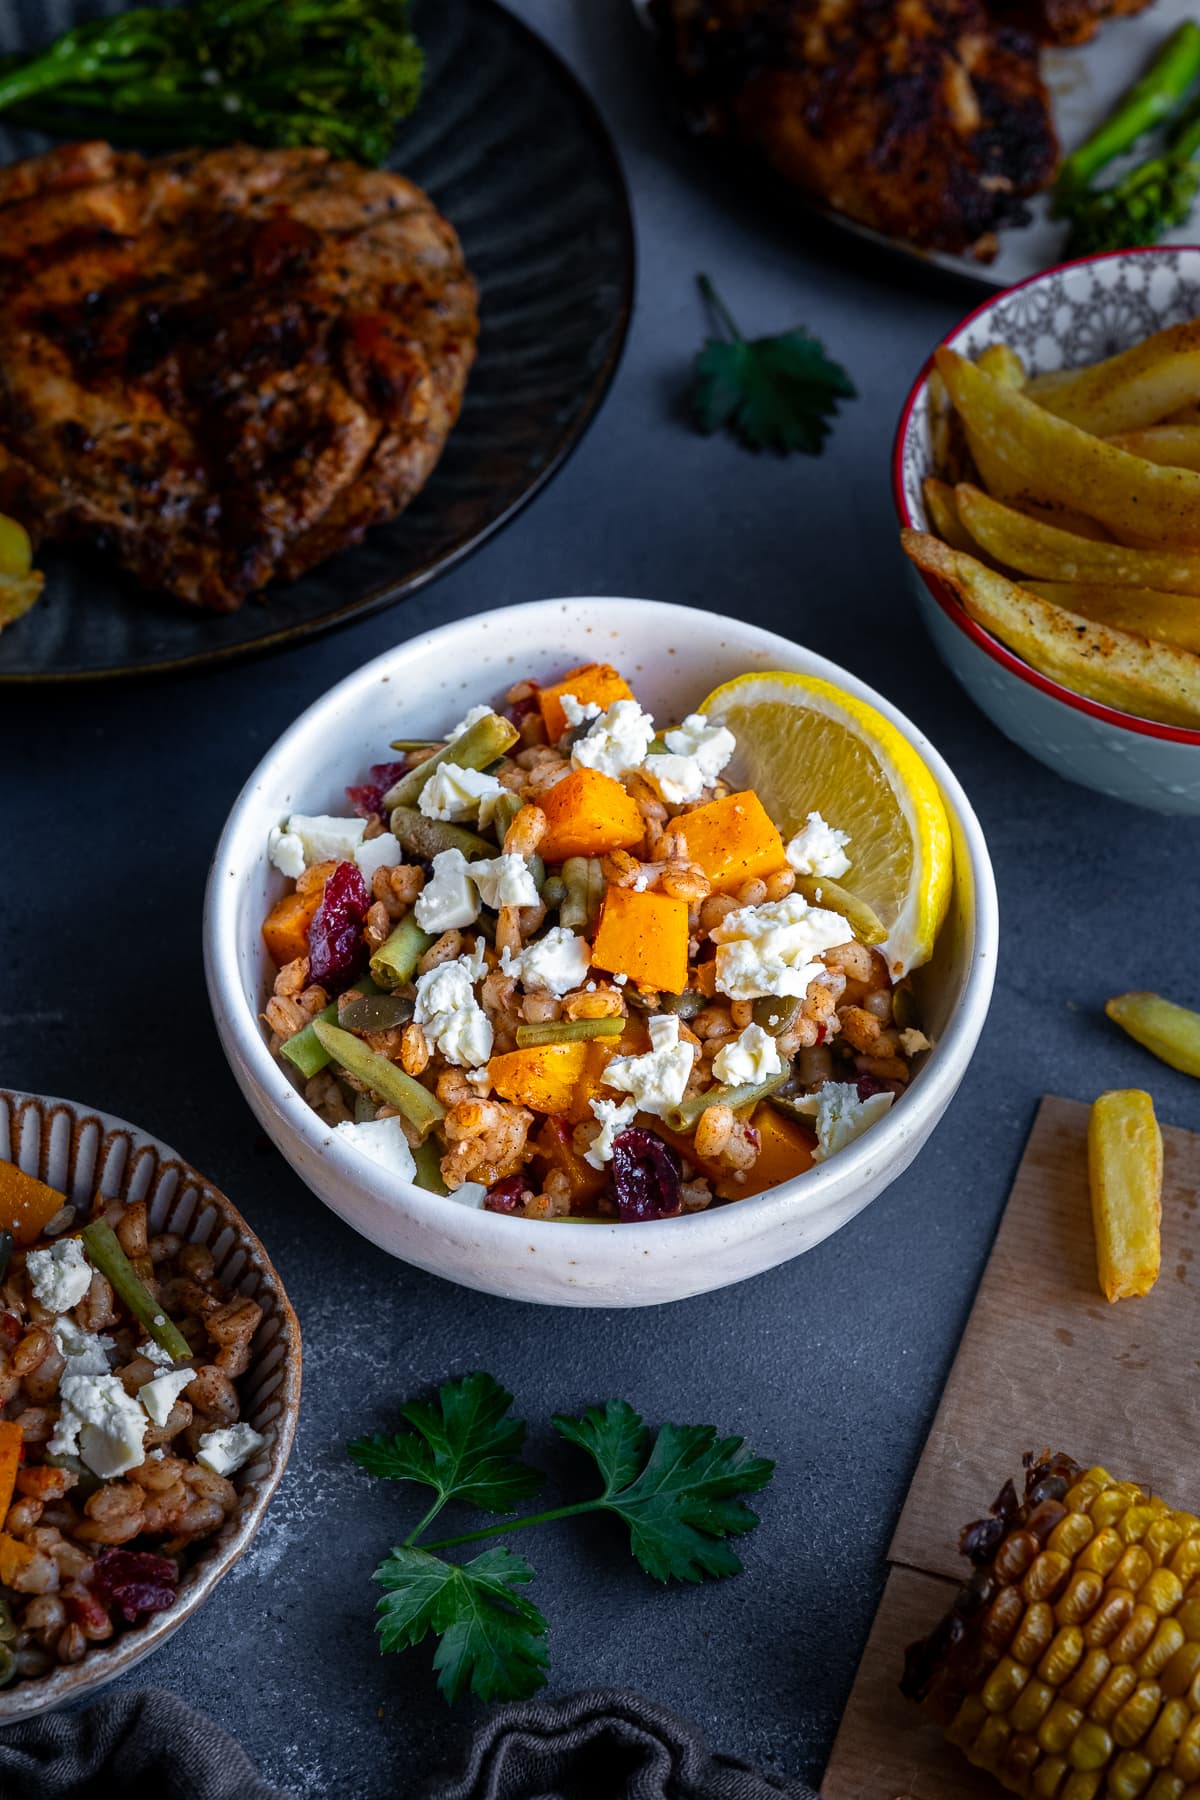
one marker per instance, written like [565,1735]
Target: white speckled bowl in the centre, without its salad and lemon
[672,658]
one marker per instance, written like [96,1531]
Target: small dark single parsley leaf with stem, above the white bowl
[775,393]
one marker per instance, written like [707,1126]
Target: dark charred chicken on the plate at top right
[926,120]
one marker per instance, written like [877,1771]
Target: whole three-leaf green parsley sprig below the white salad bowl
[679,1495]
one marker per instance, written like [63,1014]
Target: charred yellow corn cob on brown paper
[1070,1666]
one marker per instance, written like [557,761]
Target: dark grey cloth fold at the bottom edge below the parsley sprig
[604,1747]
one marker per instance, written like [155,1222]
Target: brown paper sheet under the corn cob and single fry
[1044,1363]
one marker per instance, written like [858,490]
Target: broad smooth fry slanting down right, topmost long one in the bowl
[1064,463]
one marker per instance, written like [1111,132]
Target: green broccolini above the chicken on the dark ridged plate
[289,73]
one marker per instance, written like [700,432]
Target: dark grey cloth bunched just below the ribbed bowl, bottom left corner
[138,1747]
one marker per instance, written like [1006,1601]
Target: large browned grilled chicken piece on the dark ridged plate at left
[222,366]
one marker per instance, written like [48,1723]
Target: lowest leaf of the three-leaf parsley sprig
[492,1637]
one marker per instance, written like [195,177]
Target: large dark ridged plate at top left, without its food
[517,157]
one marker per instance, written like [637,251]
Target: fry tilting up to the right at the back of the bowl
[1134,390]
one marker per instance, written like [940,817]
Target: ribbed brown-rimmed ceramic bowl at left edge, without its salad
[84,1153]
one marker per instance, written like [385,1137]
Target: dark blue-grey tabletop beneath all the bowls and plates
[112,804]
